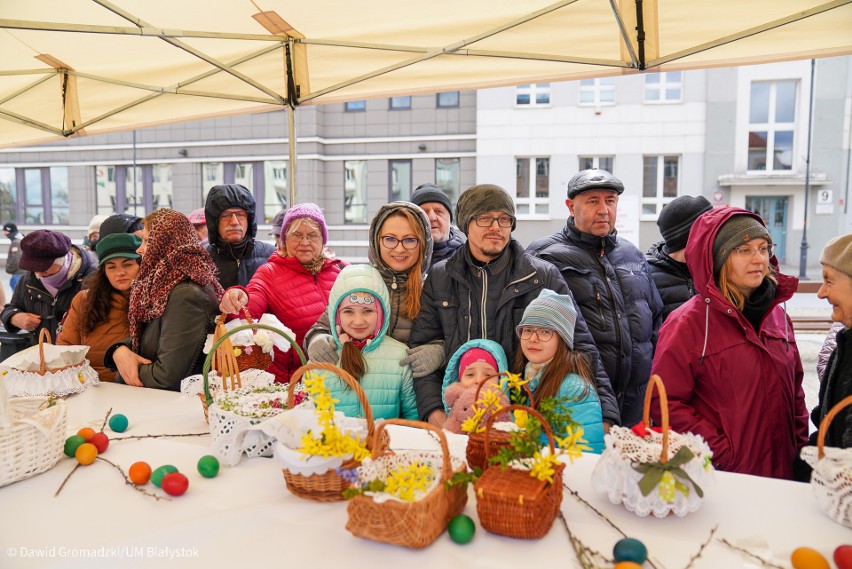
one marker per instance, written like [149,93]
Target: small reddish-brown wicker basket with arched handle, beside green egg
[510,502]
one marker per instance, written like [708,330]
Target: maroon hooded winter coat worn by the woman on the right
[739,390]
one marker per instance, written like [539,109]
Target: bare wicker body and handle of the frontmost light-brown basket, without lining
[410,524]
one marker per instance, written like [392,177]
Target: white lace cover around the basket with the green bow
[615,475]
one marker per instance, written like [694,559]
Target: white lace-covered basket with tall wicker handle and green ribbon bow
[651,472]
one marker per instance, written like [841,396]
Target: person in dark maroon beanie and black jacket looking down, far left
[56,272]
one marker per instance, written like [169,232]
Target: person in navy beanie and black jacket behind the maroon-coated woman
[666,258]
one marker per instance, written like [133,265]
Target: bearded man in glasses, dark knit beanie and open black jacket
[481,291]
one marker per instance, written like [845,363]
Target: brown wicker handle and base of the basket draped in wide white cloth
[329,487]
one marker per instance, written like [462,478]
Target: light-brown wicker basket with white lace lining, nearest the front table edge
[416,523]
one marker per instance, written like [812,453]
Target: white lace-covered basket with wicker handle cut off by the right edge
[831,479]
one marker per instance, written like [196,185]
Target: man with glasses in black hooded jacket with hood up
[231,228]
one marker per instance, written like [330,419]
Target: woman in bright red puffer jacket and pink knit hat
[294,285]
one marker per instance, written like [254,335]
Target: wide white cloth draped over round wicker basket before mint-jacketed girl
[289,427]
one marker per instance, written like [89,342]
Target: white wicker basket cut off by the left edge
[32,435]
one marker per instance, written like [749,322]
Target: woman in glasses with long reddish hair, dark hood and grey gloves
[400,249]
